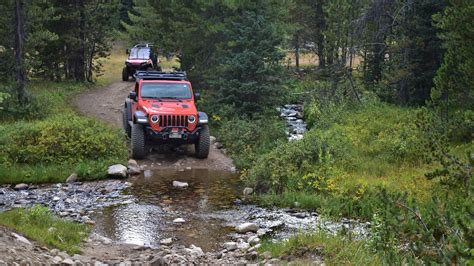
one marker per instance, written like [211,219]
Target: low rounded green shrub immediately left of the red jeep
[64,138]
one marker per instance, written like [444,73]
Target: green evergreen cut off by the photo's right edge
[454,81]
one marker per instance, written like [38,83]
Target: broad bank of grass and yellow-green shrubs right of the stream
[368,161]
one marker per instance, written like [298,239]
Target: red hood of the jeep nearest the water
[166,107]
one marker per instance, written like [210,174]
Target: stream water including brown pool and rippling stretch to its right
[210,207]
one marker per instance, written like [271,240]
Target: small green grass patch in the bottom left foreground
[39,224]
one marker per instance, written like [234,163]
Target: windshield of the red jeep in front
[176,91]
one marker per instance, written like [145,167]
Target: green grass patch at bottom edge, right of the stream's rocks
[335,250]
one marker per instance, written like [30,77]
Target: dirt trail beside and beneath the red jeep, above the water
[106,105]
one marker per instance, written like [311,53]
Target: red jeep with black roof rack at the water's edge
[160,110]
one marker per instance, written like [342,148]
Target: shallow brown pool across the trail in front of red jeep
[157,203]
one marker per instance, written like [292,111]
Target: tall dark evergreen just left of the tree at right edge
[415,52]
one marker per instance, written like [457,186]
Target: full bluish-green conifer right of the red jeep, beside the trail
[250,60]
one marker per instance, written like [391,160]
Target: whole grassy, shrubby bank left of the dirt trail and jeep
[51,141]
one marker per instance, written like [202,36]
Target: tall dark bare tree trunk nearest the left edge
[22,93]
